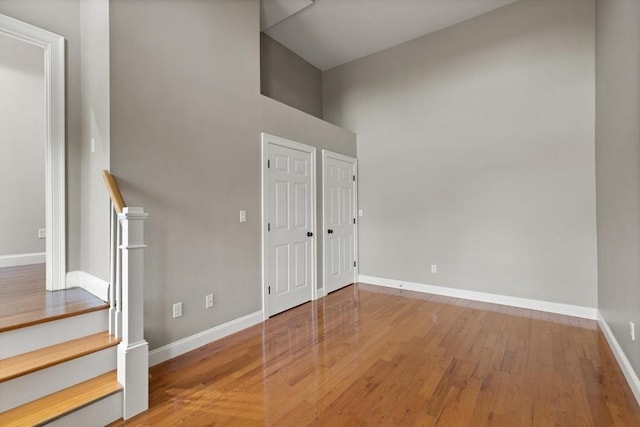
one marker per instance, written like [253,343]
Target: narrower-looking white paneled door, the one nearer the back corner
[339,215]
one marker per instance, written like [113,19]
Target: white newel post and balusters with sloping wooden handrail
[126,299]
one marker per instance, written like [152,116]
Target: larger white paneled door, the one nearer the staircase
[289,210]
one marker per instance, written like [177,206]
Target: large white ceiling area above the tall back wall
[329,33]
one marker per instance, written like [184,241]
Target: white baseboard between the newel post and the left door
[184,345]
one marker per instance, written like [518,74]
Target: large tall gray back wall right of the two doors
[476,153]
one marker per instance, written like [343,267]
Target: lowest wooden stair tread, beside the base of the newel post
[55,405]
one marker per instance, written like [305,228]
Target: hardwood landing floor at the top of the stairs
[24,300]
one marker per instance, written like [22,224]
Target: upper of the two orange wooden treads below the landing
[27,363]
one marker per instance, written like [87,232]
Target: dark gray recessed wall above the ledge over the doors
[288,78]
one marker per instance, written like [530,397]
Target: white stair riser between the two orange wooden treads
[33,386]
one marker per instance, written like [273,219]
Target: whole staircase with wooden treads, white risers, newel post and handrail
[88,367]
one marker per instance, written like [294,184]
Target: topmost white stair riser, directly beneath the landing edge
[23,340]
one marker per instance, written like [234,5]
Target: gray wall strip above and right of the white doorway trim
[62,17]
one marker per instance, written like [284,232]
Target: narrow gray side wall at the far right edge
[618,168]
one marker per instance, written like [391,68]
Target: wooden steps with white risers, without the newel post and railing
[61,371]
